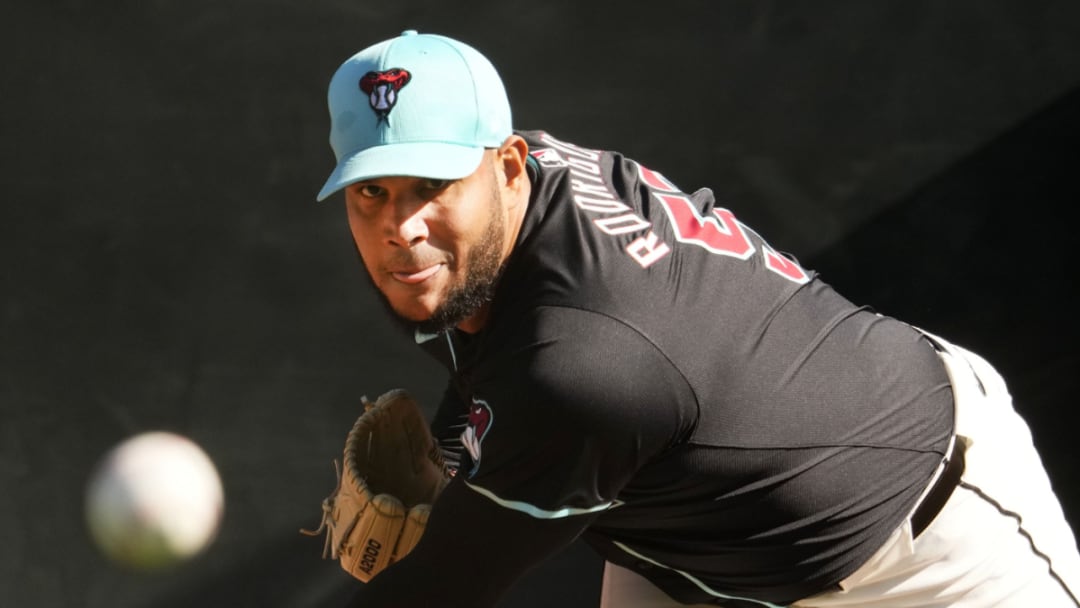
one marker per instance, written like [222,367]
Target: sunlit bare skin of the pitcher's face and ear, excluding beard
[417,236]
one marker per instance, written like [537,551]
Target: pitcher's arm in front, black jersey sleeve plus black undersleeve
[572,421]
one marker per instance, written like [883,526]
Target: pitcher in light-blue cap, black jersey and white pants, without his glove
[632,366]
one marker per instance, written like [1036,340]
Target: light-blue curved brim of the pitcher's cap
[435,160]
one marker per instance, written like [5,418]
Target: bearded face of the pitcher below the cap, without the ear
[434,249]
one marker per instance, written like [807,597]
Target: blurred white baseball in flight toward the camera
[154,501]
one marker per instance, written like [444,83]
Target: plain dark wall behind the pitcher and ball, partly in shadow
[164,264]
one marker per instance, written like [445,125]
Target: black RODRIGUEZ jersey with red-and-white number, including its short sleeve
[726,424]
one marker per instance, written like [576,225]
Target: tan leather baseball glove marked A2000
[393,474]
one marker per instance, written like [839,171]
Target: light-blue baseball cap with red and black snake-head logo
[421,105]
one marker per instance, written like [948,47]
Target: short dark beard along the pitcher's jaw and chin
[483,268]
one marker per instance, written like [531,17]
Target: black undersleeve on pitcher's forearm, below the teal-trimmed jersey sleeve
[472,551]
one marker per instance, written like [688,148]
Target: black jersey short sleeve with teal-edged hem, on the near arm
[561,423]
